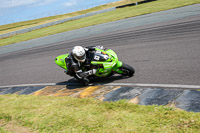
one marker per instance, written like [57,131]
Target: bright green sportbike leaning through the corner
[105,66]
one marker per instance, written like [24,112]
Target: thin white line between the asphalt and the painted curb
[114,84]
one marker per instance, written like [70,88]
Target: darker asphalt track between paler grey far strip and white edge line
[161,53]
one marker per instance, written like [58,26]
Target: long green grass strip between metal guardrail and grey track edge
[118,14]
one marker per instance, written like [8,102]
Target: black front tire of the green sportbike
[127,70]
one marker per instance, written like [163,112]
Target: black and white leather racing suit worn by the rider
[81,71]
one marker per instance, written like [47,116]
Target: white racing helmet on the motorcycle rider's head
[78,53]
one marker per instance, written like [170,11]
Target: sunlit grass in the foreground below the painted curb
[67,114]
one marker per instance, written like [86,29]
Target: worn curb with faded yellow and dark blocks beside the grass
[185,99]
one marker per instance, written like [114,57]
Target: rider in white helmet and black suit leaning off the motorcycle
[79,62]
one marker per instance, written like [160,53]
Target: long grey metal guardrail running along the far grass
[54,23]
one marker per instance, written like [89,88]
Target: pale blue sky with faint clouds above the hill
[12,11]
